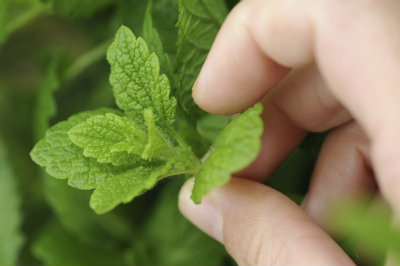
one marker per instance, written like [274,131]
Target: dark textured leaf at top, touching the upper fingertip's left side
[198,24]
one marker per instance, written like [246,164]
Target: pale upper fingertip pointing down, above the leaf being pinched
[236,73]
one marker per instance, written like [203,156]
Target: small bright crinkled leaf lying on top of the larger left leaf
[109,138]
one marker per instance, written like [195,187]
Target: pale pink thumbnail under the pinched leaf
[205,216]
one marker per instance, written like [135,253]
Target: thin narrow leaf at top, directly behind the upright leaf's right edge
[150,35]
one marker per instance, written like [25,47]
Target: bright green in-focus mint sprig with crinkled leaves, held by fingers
[123,153]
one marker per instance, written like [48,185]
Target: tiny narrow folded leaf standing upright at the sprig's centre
[157,146]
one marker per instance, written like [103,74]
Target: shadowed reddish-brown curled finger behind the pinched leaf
[300,103]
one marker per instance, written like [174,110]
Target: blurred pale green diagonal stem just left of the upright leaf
[86,60]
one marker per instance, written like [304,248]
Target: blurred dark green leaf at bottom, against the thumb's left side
[184,245]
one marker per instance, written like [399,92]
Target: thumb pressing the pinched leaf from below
[260,226]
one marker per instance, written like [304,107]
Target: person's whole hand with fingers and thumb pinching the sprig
[316,65]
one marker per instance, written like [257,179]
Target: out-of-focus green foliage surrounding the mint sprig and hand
[52,65]
